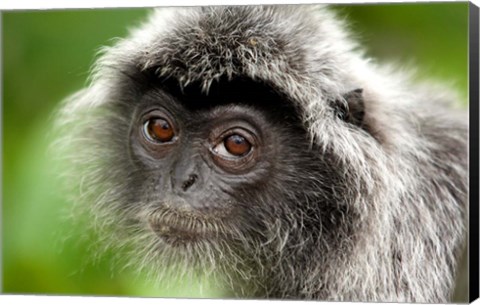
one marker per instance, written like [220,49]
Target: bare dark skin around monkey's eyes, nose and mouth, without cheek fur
[201,159]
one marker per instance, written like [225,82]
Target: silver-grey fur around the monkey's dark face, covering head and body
[398,228]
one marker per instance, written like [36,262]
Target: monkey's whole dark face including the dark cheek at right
[206,163]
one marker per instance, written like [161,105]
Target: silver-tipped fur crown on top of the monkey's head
[302,51]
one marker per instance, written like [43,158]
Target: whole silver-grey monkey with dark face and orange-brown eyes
[259,145]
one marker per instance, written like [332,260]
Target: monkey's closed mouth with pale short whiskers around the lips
[180,227]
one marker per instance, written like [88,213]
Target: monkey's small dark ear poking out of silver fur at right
[352,108]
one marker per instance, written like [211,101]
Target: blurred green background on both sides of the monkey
[47,55]
